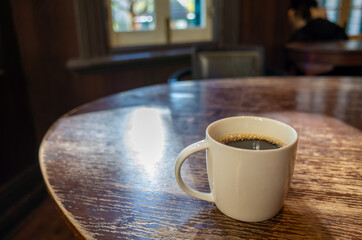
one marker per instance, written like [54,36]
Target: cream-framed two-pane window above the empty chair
[150,22]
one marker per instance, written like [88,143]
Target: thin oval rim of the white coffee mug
[289,145]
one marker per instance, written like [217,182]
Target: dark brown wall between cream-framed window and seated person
[257,22]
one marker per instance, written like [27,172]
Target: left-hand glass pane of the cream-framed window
[133,15]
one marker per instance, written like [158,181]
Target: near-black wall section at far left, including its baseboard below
[21,184]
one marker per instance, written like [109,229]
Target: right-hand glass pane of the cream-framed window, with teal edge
[186,14]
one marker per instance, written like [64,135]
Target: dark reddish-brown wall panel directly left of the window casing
[47,39]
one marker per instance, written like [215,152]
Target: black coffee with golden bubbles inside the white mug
[251,141]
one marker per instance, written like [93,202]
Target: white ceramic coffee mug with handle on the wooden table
[248,185]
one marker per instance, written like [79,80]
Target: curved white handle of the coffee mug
[184,154]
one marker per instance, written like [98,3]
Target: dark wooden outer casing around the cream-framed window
[93,39]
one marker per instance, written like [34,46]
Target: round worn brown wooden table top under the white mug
[109,165]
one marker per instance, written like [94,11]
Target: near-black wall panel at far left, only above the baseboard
[17,137]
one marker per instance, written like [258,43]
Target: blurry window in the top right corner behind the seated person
[346,13]
